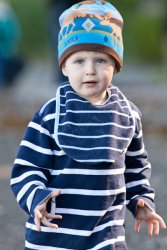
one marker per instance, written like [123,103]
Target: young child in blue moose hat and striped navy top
[82,159]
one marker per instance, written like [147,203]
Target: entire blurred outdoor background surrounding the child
[29,76]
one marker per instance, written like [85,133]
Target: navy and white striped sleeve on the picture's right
[138,171]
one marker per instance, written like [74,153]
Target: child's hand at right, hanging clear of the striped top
[152,219]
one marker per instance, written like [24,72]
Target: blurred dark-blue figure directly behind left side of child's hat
[56,7]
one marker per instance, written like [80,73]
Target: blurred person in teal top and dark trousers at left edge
[10,37]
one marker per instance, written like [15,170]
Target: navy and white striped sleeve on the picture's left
[32,166]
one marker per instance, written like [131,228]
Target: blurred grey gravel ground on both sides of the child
[33,87]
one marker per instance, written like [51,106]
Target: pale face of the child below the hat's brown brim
[90,73]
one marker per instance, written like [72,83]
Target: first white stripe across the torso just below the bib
[88,171]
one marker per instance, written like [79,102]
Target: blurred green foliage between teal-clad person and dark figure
[32,15]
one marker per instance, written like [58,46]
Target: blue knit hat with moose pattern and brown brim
[91,25]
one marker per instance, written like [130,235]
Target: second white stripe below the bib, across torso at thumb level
[93,192]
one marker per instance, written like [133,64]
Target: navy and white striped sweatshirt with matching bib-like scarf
[95,155]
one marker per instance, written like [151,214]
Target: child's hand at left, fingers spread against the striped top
[41,214]
